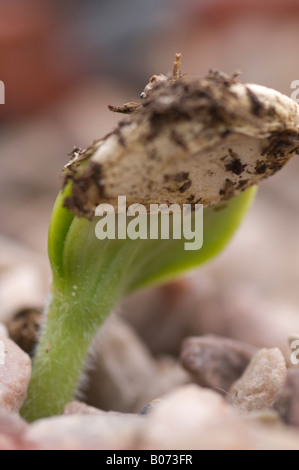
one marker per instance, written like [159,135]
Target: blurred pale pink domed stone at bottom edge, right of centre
[187,418]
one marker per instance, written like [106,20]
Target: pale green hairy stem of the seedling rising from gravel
[61,355]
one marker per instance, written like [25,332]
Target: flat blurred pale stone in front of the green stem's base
[86,432]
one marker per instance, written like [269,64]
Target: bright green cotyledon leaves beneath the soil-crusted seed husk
[81,257]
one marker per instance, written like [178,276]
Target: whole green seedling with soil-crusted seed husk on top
[187,141]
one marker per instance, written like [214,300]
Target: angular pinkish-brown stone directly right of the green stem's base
[122,373]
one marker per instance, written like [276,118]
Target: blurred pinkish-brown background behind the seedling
[62,64]
